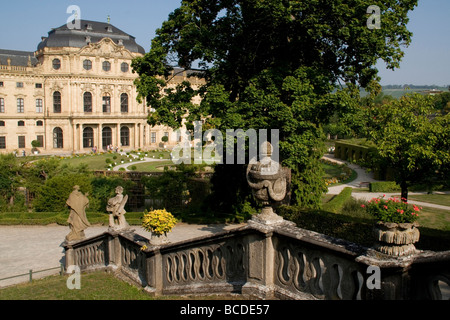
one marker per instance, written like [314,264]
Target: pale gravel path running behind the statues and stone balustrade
[24,248]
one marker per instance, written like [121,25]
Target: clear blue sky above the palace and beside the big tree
[24,22]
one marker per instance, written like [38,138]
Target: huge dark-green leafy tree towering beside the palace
[271,65]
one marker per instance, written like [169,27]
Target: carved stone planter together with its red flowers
[396,230]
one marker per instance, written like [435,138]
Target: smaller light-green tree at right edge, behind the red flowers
[413,139]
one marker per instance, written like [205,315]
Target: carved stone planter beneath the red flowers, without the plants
[396,239]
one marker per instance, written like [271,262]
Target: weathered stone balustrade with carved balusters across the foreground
[268,262]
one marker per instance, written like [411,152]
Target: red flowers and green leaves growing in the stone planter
[392,210]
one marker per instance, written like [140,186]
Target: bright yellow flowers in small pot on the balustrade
[159,223]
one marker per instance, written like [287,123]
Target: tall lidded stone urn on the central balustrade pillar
[269,182]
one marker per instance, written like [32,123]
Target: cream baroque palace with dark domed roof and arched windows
[76,94]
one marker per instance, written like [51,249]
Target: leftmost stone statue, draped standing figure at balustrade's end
[77,202]
